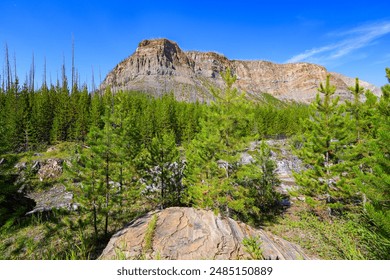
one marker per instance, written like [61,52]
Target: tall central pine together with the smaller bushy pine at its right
[215,176]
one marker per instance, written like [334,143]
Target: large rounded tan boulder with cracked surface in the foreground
[188,233]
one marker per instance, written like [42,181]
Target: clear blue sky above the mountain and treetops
[350,37]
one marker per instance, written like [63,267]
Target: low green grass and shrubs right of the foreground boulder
[345,238]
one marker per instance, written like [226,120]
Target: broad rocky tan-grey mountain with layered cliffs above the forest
[159,66]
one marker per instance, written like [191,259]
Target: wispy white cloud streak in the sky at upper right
[347,42]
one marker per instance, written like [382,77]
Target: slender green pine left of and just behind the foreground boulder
[96,192]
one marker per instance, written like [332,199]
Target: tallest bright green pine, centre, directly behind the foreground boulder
[213,155]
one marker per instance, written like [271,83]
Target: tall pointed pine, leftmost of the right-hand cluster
[323,138]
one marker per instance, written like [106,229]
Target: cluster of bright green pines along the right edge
[351,167]
